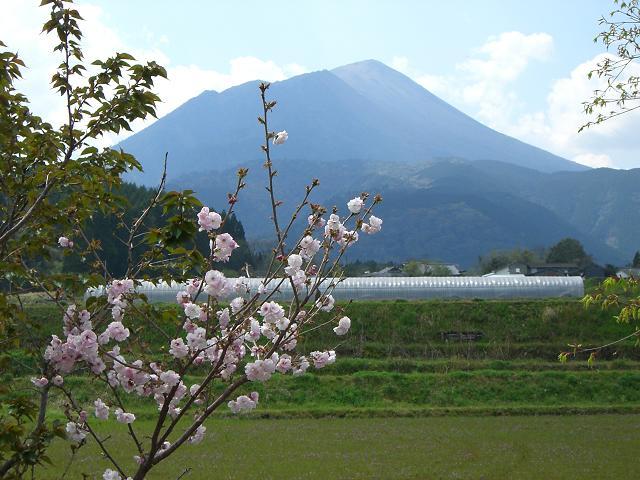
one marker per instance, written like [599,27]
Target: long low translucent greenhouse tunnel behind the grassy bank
[407,288]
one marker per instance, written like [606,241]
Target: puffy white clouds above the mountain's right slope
[486,87]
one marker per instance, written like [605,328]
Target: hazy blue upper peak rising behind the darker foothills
[364,111]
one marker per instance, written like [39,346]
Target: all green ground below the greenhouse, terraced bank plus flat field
[405,401]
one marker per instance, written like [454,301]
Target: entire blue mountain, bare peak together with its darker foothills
[454,189]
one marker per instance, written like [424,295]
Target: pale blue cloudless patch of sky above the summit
[434,36]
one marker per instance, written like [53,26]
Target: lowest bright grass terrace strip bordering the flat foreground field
[385,390]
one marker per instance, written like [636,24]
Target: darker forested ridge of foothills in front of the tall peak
[449,209]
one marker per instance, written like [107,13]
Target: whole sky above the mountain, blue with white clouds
[517,66]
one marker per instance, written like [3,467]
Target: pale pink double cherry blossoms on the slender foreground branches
[222,345]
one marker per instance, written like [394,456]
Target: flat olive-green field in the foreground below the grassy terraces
[532,447]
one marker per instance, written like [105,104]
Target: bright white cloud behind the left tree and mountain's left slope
[20,32]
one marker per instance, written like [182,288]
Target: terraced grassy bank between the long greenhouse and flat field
[394,362]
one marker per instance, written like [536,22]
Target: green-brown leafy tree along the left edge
[53,178]
